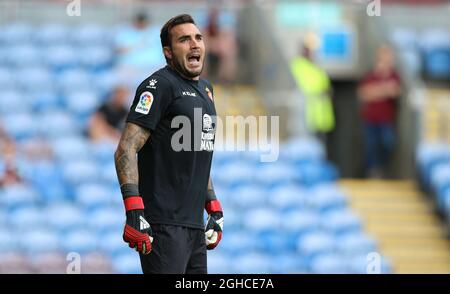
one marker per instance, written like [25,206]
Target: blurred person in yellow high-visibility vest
[316,87]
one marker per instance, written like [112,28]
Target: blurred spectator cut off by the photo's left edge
[8,173]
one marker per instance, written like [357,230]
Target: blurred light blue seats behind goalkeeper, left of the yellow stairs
[288,216]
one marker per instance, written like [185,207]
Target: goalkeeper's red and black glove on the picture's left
[137,232]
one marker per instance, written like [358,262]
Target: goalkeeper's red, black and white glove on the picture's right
[214,225]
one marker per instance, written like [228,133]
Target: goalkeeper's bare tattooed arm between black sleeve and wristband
[132,140]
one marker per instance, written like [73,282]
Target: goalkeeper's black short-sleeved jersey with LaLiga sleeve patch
[174,164]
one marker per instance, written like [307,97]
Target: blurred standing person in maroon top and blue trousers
[378,91]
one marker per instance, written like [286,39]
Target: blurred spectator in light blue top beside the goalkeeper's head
[138,49]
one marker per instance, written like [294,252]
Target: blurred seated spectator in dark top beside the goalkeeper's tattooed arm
[108,120]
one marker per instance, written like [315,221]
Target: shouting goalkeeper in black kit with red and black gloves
[165,190]
